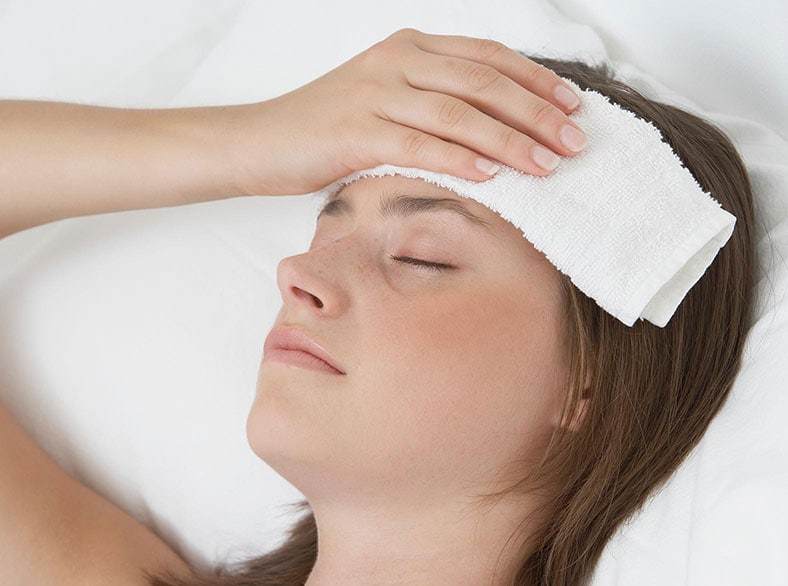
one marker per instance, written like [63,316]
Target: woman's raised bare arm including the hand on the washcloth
[412,100]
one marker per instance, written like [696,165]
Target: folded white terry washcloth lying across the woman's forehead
[624,219]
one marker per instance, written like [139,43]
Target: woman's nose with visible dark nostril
[307,282]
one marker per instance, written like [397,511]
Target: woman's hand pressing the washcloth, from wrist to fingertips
[444,103]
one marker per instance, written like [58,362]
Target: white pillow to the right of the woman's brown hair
[723,517]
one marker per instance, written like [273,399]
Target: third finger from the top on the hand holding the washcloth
[453,120]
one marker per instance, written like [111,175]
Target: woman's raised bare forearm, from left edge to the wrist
[60,160]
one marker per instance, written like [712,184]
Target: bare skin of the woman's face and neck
[451,376]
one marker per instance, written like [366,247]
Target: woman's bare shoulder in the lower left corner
[55,530]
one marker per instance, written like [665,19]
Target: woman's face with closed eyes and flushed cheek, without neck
[450,374]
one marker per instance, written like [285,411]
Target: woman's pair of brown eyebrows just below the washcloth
[404,205]
